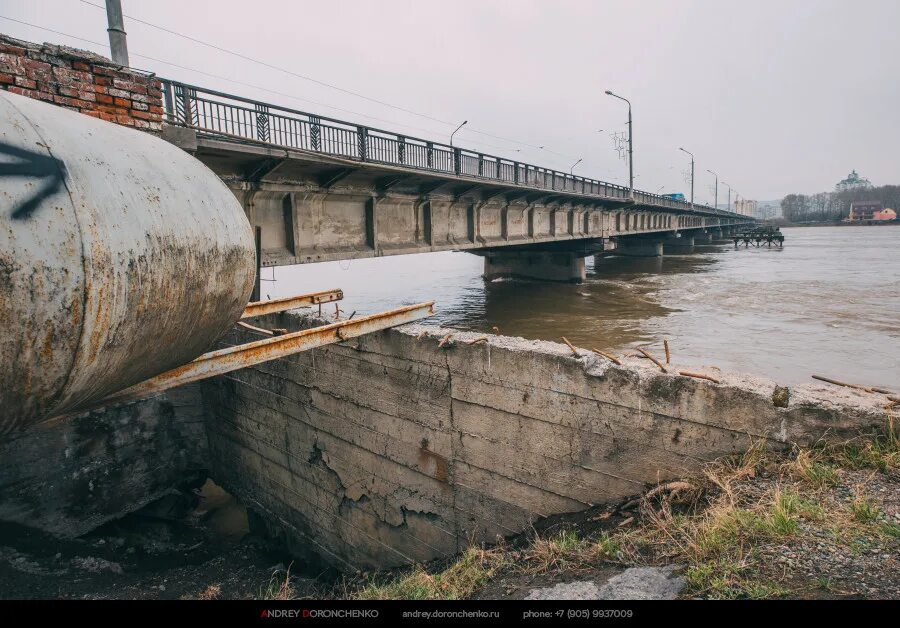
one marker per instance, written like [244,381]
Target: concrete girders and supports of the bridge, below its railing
[314,208]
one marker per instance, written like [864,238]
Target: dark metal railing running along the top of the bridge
[241,118]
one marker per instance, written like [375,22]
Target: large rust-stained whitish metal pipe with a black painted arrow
[121,257]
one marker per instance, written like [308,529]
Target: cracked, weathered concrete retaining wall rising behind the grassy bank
[387,450]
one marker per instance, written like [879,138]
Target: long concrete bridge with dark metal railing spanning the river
[319,189]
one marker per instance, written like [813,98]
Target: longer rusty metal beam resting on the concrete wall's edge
[252,353]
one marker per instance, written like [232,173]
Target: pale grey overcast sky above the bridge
[776,96]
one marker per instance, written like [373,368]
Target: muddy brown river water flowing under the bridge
[827,303]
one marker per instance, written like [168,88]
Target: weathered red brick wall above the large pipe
[81,80]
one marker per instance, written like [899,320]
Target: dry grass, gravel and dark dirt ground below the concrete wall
[821,522]
